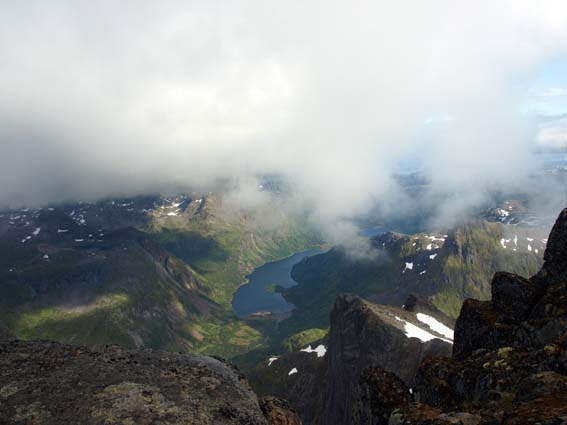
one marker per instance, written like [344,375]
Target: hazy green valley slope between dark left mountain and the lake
[224,250]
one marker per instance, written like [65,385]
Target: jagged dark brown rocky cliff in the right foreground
[509,363]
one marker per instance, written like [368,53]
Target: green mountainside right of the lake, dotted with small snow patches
[445,268]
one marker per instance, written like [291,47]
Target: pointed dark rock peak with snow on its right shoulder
[365,335]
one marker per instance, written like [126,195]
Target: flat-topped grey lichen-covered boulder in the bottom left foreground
[51,383]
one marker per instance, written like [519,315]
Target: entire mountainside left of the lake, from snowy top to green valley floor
[143,272]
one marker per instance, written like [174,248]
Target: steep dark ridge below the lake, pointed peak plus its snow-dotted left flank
[321,381]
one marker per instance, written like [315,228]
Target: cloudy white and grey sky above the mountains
[113,98]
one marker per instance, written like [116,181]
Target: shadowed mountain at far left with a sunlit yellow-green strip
[119,295]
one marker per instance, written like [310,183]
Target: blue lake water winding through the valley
[258,294]
